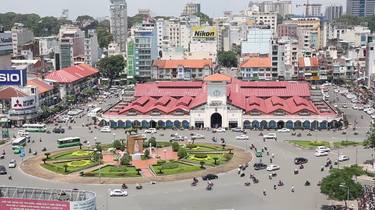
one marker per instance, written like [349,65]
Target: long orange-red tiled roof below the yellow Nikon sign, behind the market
[191,63]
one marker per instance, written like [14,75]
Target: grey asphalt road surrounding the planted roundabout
[229,191]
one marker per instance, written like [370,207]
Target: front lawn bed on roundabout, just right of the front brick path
[175,167]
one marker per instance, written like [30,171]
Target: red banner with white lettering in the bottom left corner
[29,204]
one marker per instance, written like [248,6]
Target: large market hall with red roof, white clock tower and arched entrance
[223,101]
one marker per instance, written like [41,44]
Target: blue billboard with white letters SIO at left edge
[13,77]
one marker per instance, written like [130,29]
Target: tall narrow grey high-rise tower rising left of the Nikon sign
[119,23]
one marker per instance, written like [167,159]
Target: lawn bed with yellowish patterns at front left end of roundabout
[73,166]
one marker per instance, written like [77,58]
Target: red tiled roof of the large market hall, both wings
[265,97]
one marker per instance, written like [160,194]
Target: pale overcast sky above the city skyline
[99,8]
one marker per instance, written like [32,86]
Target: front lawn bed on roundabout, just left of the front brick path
[116,171]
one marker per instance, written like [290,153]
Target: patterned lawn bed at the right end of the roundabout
[209,159]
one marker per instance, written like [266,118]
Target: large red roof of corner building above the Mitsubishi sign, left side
[72,74]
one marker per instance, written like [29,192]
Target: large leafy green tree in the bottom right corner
[335,185]
